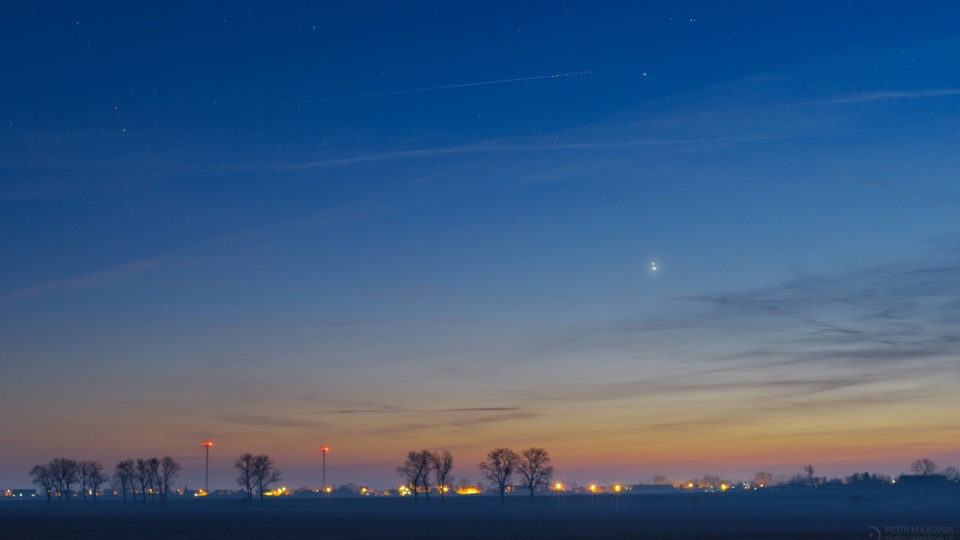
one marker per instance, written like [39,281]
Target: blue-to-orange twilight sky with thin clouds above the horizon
[288,224]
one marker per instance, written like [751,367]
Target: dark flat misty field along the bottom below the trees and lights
[890,515]
